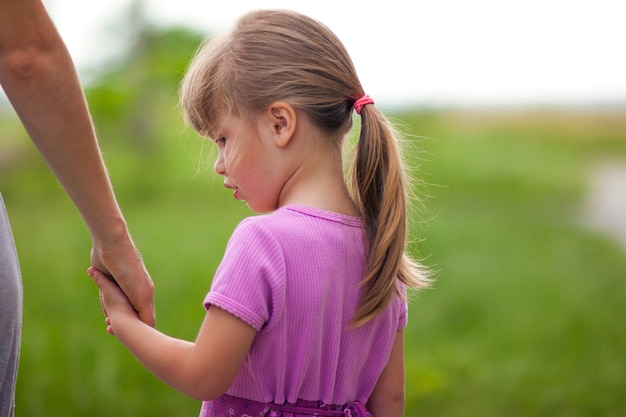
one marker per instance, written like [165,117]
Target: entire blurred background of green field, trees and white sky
[515,119]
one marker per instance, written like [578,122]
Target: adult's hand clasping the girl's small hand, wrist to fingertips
[120,261]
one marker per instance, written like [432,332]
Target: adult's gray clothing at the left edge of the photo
[10,315]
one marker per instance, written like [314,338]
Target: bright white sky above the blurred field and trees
[435,52]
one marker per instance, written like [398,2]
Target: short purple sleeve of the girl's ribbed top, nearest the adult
[250,281]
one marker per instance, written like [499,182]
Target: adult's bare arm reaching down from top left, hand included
[39,78]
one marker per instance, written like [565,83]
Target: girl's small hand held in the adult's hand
[115,304]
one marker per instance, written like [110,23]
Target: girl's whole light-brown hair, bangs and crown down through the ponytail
[278,55]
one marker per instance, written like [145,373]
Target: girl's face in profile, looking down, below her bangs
[247,161]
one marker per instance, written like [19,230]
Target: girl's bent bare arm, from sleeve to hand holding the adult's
[202,370]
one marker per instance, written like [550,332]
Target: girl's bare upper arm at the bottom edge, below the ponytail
[388,398]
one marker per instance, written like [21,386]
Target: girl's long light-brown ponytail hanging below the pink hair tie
[379,184]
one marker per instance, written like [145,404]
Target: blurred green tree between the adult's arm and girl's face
[134,103]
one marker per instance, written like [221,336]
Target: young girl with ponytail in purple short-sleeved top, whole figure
[306,311]
